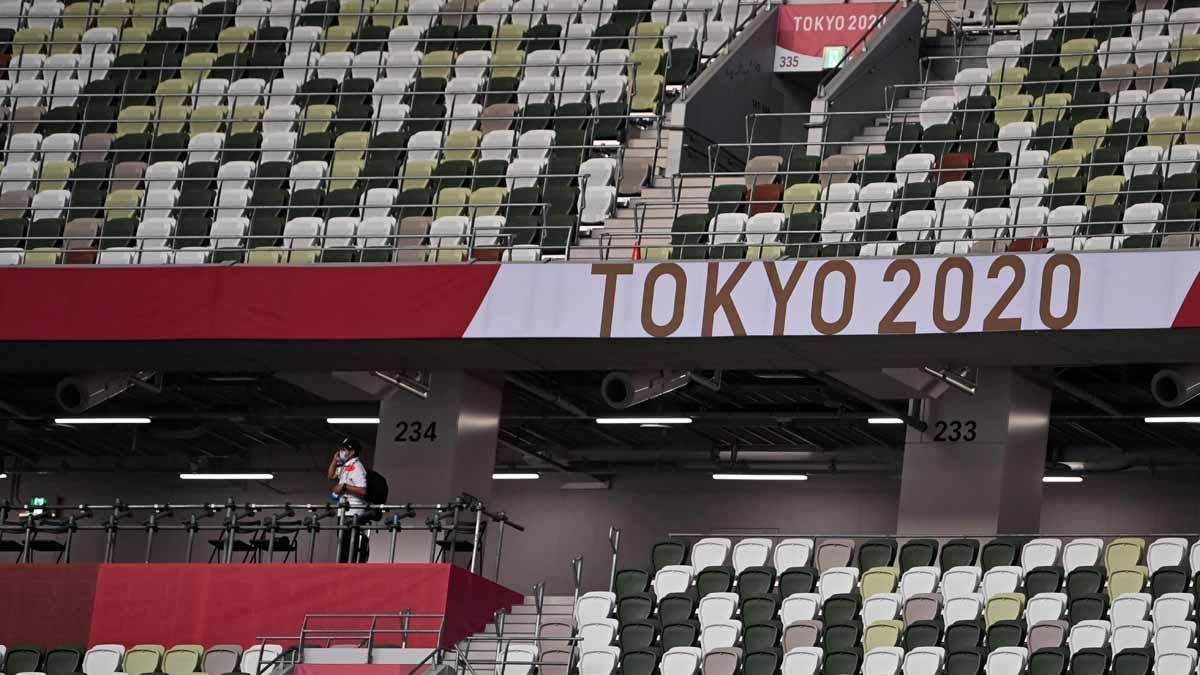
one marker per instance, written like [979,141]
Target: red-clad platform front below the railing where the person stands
[208,605]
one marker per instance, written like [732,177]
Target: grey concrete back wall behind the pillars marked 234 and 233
[562,525]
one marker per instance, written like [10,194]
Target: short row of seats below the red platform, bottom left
[139,660]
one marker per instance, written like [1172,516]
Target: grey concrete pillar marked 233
[979,468]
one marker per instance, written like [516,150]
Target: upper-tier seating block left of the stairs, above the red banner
[268,133]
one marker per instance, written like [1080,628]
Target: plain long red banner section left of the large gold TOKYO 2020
[243,303]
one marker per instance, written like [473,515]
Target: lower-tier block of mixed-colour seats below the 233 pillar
[1011,606]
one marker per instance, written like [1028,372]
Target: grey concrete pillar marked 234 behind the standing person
[434,450]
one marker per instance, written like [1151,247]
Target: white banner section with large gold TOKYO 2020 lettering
[844,297]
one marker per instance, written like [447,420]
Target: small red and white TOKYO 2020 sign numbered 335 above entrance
[805,32]
